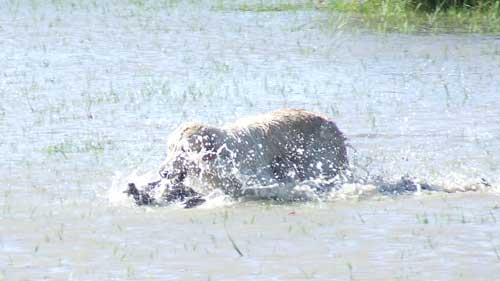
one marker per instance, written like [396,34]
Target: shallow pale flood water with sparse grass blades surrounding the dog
[90,91]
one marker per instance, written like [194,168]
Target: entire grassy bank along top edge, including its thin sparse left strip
[407,16]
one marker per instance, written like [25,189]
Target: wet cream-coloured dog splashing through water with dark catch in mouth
[284,146]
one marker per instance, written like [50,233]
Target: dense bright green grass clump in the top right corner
[423,15]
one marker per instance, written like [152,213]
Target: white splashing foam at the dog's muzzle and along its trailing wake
[365,189]
